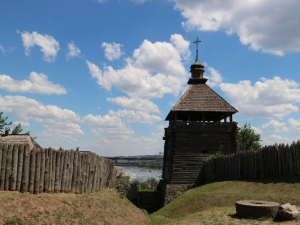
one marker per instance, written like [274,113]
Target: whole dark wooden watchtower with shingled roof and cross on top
[200,124]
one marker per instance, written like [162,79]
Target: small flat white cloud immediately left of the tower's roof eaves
[135,116]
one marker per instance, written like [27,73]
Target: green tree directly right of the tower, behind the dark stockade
[248,139]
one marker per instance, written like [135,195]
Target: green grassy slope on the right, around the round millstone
[214,203]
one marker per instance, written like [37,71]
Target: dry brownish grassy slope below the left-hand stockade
[103,207]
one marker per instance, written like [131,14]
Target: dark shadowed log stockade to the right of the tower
[269,162]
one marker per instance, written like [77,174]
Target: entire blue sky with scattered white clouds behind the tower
[102,75]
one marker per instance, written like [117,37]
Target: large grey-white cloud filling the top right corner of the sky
[269,25]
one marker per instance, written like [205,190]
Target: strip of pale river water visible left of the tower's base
[136,173]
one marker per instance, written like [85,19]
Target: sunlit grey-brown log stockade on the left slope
[48,170]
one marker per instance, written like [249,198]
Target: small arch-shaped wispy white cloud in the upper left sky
[49,46]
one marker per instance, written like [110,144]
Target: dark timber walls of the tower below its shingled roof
[188,144]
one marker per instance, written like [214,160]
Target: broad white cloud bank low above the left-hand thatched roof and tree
[58,121]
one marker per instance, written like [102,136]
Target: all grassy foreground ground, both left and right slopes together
[211,204]
